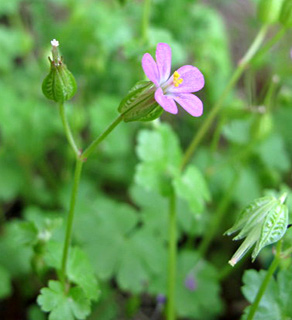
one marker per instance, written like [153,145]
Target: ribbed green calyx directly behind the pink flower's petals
[139,104]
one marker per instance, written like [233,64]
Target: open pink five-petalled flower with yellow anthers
[177,88]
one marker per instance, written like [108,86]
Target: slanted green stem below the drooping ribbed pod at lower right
[265,282]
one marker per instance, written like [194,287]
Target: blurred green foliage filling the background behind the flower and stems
[120,231]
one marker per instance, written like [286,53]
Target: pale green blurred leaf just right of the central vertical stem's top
[192,187]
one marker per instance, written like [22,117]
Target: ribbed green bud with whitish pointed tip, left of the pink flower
[59,85]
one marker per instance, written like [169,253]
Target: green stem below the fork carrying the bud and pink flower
[69,227]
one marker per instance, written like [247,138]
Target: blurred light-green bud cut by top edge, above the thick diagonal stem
[269,11]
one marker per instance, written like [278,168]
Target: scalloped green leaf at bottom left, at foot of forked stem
[71,305]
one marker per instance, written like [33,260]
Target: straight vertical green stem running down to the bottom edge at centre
[172,253]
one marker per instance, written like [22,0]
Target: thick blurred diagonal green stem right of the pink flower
[235,77]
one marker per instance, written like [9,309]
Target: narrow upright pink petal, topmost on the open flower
[163,59]
